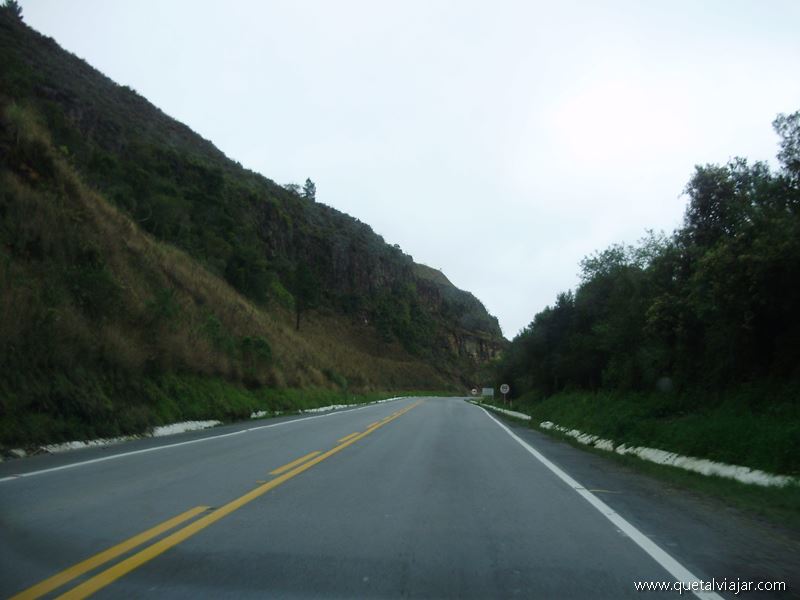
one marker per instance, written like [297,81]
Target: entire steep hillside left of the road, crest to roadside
[147,278]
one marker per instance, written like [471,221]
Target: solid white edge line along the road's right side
[673,567]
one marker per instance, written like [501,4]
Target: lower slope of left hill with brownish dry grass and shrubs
[103,329]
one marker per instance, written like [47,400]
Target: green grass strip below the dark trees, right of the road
[756,426]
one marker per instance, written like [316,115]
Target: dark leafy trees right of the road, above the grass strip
[714,305]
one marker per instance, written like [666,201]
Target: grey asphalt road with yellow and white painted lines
[422,498]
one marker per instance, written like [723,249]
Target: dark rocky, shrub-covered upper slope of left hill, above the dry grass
[268,242]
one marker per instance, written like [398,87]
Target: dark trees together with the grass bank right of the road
[690,342]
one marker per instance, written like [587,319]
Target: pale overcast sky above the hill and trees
[498,141]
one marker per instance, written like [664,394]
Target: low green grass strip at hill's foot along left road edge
[85,405]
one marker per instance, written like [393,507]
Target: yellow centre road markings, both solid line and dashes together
[104,578]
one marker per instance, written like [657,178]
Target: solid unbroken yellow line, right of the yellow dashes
[135,561]
